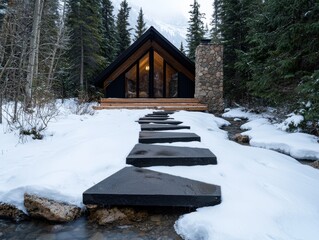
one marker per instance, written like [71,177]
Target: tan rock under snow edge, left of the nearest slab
[50,210]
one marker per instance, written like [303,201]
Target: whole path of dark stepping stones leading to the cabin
[135,186]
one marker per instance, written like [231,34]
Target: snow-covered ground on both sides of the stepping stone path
[265,194]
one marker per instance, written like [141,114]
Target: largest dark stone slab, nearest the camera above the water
[141,187]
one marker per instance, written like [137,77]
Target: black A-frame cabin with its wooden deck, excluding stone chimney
[151,73]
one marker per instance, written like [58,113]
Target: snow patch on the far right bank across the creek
[264,134]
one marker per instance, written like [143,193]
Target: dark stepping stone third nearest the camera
[164,137]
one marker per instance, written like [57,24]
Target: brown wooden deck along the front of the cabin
[168,104]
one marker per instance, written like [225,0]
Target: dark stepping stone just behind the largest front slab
[147,155]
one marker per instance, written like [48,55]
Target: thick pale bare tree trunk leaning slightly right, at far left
[34,45]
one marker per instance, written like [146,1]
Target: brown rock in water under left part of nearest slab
[104,216]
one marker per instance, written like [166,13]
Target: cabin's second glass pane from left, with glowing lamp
[144,68]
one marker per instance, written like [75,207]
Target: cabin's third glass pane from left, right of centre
[158,75]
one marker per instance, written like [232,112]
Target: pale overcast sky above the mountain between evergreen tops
[167,9]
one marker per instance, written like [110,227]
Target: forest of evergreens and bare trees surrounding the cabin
[52,49]
